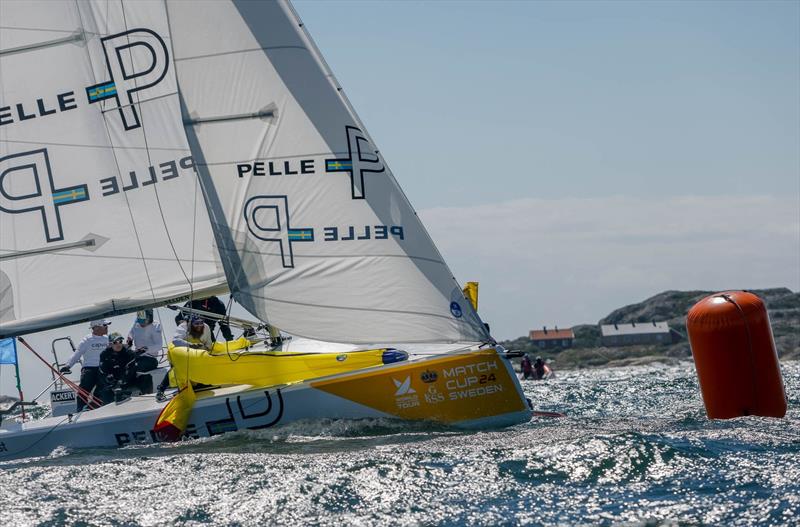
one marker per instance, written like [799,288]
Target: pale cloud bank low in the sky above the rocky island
[568,261]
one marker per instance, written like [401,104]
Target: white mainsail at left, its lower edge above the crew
[98,194]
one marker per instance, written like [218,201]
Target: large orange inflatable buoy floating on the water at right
[734,354]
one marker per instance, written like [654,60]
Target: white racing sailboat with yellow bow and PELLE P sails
[154,152]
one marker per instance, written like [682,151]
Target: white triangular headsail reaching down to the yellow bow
[315,234]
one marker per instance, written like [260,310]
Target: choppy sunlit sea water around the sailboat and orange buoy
[635,448]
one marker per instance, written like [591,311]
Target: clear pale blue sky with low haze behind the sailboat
[575,157]
